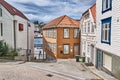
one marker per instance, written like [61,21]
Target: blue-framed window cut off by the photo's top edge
[106,5]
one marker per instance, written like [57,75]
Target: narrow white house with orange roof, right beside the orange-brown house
[88,34]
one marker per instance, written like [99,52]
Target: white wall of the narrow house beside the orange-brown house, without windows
[88,39]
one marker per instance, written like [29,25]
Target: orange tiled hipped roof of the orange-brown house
[62,21]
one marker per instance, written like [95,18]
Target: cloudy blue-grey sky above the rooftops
[46,10]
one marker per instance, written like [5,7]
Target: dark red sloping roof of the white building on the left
[12,10]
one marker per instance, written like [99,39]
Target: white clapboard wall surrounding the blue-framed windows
[114,48]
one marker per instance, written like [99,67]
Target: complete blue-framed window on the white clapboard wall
[106,30]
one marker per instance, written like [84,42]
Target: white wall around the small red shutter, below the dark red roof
[21,36]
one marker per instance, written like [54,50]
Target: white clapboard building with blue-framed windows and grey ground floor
[108,36]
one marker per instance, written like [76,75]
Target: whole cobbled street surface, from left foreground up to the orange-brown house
[62,70]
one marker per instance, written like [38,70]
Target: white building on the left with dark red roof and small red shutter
[15,29]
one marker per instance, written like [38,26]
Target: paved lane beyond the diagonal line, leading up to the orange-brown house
[67,68]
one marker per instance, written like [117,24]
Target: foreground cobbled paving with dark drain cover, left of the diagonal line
[22,72]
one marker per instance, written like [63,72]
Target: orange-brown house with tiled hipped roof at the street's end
[61,38]
